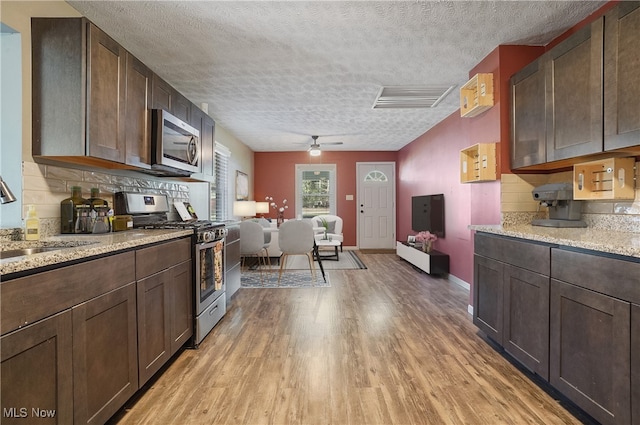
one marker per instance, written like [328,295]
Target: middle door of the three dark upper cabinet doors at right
[574,94]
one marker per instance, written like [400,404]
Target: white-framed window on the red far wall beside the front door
[315,190]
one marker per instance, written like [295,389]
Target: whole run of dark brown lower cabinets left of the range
[77,361]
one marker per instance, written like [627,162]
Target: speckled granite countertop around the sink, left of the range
[75,247]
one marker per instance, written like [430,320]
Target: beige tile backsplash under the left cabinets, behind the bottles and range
[45,186]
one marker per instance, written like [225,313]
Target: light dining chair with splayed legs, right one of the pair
[296,237]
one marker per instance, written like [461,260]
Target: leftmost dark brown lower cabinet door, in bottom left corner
[37,385]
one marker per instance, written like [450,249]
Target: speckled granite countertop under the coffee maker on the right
[609,241]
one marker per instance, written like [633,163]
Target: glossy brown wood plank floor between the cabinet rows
[387,345]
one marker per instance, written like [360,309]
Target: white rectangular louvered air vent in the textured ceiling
[395,97]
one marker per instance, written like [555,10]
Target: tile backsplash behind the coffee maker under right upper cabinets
[518,207]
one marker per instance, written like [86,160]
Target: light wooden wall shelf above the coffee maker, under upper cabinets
[611,178]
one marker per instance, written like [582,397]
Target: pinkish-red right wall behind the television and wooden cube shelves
[431,164]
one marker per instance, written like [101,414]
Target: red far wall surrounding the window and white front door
[274,175]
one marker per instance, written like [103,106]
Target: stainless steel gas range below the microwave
[150,212]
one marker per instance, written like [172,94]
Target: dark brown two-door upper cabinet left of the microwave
[90,97]
